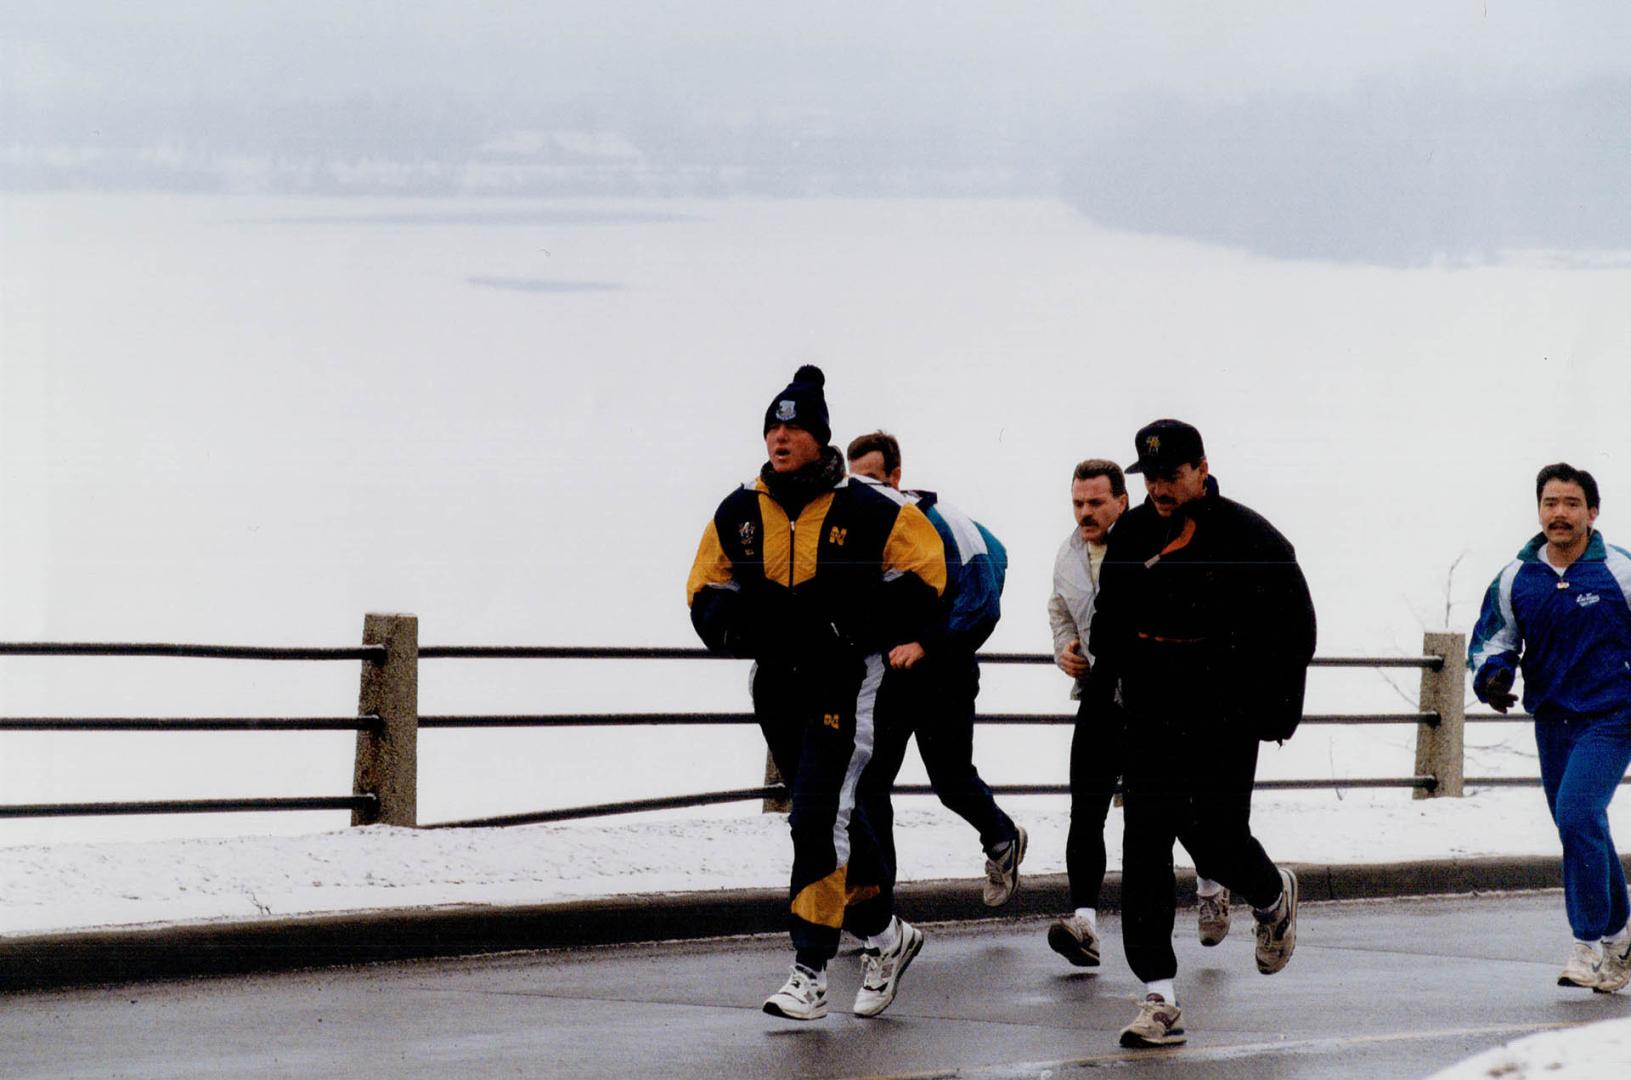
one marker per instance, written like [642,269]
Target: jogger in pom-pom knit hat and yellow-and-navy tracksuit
[816,578]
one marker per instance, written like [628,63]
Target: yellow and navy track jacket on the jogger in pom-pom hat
[859,559]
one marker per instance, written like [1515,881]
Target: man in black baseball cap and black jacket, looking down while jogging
[1206,624]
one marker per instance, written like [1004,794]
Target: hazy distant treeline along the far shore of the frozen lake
[1379,175]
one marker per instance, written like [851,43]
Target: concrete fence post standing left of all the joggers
[389,753]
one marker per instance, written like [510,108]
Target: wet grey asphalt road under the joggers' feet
[1376,989]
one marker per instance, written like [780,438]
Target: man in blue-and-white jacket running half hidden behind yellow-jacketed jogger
[932,683]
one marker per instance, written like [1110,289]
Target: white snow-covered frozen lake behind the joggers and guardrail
[247,420]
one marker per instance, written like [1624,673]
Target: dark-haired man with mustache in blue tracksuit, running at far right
[1560,614]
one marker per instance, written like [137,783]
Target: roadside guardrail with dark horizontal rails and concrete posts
[387,725]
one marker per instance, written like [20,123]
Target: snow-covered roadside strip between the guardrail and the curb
[64,887]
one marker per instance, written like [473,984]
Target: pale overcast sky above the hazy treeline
[927,55]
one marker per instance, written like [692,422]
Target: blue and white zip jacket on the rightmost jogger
[1570,634]
